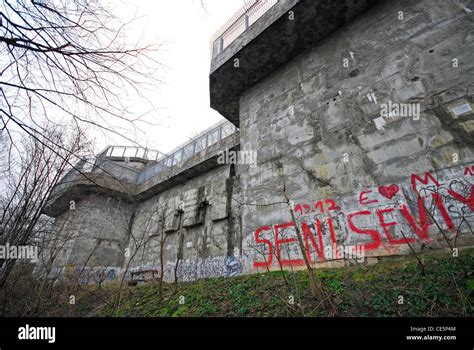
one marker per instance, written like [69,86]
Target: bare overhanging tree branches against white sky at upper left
[67,62]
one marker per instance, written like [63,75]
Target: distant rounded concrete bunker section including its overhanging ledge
[107,220]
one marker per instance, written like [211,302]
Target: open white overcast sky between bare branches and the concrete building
[183,28]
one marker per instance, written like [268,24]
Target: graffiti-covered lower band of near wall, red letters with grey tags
[381,220]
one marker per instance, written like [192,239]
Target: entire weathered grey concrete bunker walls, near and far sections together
[356,179]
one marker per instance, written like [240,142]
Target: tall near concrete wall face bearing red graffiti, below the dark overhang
[315,117]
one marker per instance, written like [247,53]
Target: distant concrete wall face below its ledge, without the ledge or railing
[103,236]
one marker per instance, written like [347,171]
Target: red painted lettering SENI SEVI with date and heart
[313,235]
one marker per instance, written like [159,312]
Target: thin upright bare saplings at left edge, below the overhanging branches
[27,185]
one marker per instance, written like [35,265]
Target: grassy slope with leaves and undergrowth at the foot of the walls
[445,290]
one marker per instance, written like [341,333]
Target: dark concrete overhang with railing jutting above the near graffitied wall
[271,41]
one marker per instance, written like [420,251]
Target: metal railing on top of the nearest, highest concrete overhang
[239,23]
